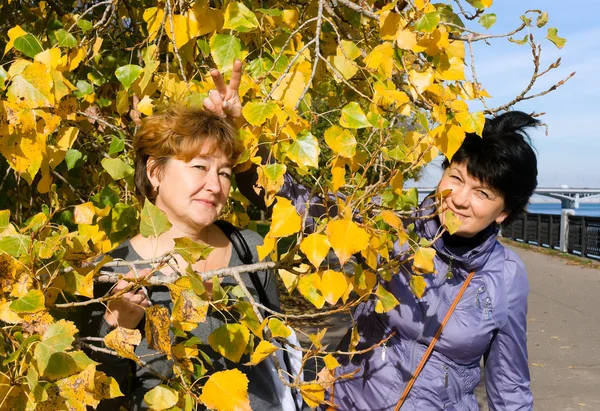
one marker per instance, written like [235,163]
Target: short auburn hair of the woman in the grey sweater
[179,132]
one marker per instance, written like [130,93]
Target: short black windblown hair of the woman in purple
[503,159]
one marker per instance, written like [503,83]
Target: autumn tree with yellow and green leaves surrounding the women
[348,97]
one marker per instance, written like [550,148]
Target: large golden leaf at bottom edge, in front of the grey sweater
[226,391]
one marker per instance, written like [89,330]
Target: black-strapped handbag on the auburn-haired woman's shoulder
[242,249]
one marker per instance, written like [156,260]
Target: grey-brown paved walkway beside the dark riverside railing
[563,334]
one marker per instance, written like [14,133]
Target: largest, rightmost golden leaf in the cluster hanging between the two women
[346,238]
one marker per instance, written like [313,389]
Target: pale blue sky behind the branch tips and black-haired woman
[570,153]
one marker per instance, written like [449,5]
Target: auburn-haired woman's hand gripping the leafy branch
[128,310]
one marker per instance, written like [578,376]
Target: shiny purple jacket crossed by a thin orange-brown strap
[489,322]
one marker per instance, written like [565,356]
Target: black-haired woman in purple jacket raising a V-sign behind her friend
[490,180]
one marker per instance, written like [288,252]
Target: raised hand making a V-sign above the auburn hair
[225,100]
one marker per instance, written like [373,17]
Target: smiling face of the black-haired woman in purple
[475,204]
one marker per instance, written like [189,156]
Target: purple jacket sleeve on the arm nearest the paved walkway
[507,378]
